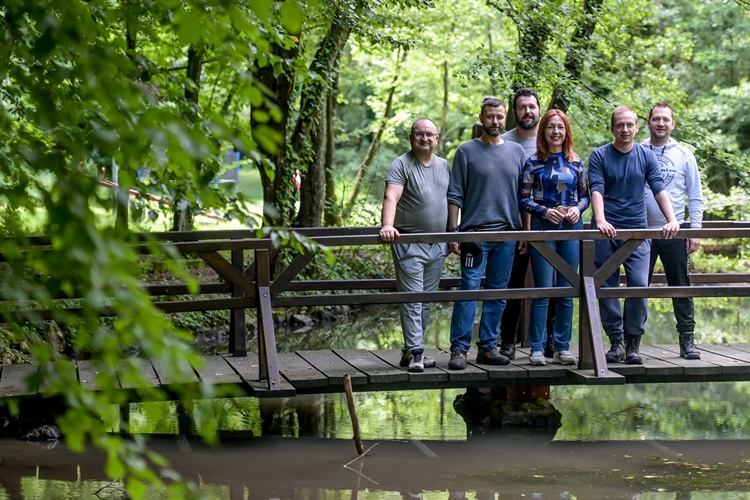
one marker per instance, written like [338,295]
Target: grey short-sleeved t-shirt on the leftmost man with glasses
[423,207]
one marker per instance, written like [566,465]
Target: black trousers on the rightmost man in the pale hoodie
[674,258]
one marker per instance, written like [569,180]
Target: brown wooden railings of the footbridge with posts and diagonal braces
[244,264]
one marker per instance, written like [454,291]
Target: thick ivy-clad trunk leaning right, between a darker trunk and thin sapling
[308,139]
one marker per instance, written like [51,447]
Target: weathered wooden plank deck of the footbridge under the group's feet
[321,371]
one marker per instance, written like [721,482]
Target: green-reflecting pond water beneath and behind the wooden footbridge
[637,441]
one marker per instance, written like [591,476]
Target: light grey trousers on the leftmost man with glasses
[418,269]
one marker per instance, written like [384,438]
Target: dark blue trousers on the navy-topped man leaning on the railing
[631,321]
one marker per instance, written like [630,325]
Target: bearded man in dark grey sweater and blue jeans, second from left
[484,189]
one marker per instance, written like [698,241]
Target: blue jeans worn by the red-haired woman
[544,276]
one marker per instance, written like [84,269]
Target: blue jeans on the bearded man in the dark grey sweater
[497,258]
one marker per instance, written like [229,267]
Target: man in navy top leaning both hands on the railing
[618,174]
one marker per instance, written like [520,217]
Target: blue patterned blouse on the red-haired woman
[552,183]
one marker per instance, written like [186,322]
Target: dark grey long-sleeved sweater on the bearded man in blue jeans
[484,185]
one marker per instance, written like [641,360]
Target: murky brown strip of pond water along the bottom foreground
[516,464]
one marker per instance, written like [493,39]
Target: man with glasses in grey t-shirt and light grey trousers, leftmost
[415,202]
